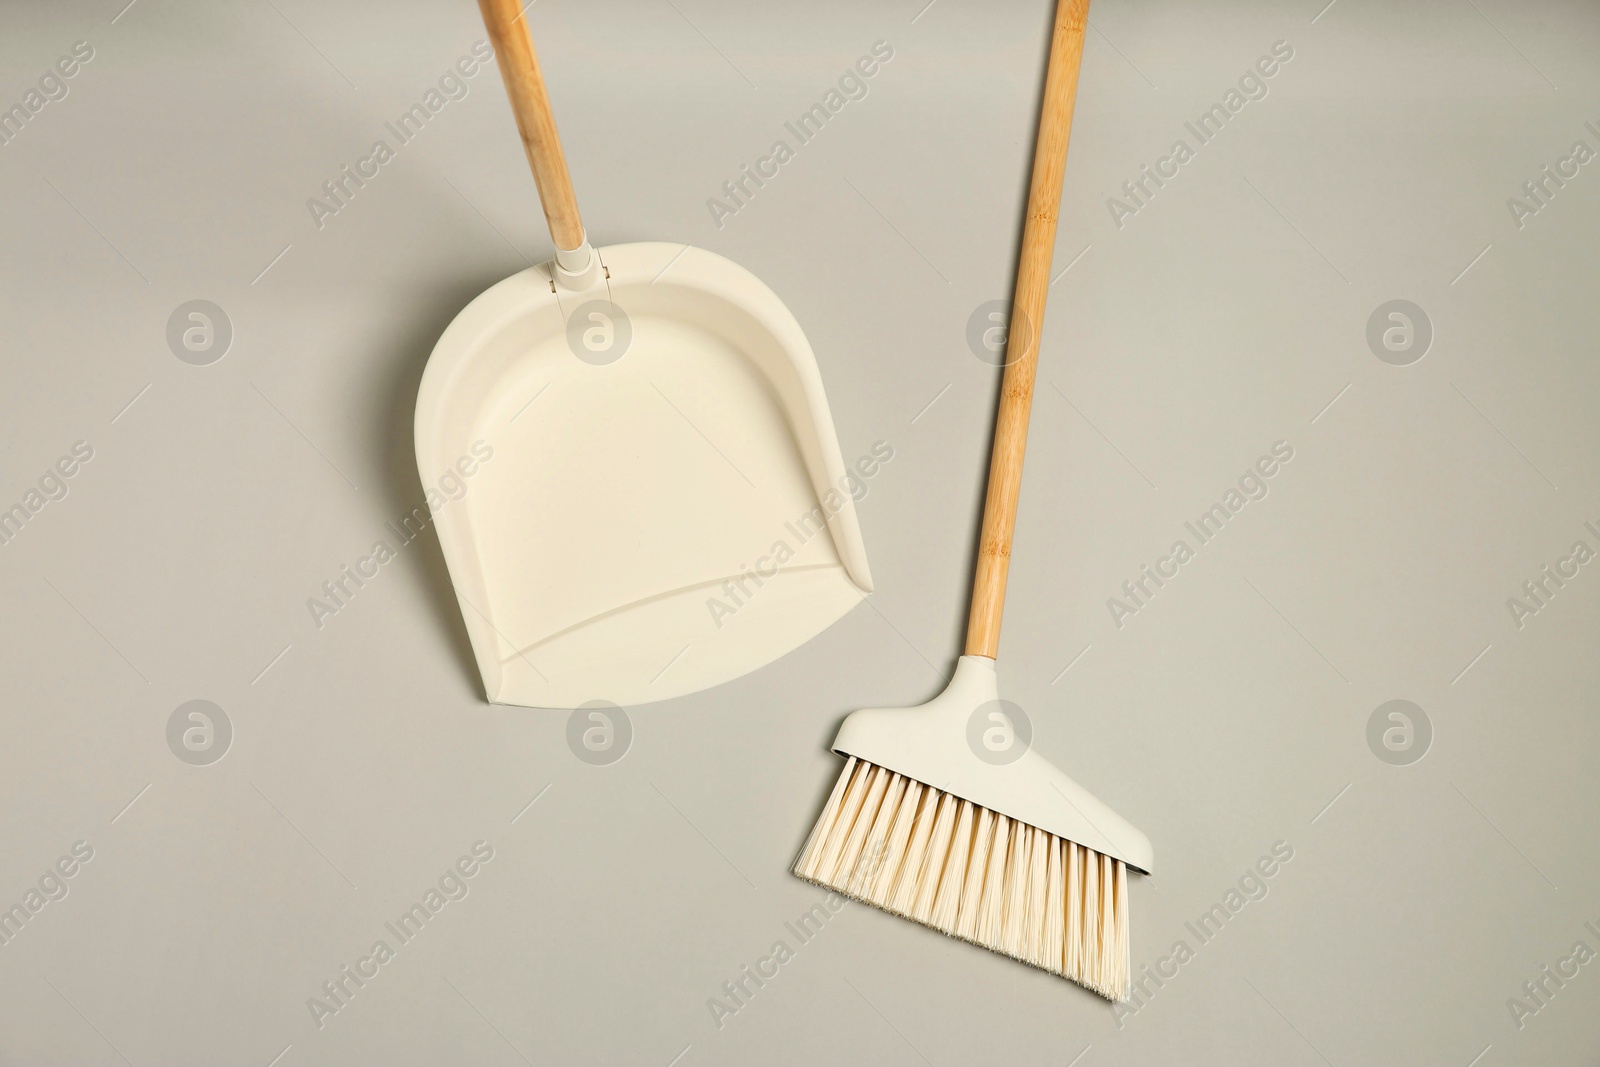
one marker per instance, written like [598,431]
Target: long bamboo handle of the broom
[1028,318]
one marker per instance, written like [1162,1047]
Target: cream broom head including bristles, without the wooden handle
[985,842]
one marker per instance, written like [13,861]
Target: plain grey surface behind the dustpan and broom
[1226,716]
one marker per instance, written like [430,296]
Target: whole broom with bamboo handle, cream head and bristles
[942,813]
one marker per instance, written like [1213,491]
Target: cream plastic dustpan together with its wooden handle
[657,498]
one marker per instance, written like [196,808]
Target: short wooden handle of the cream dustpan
[532,105]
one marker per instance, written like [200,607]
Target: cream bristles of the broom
[975,874]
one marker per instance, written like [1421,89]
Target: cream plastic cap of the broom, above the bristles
[930,745]
